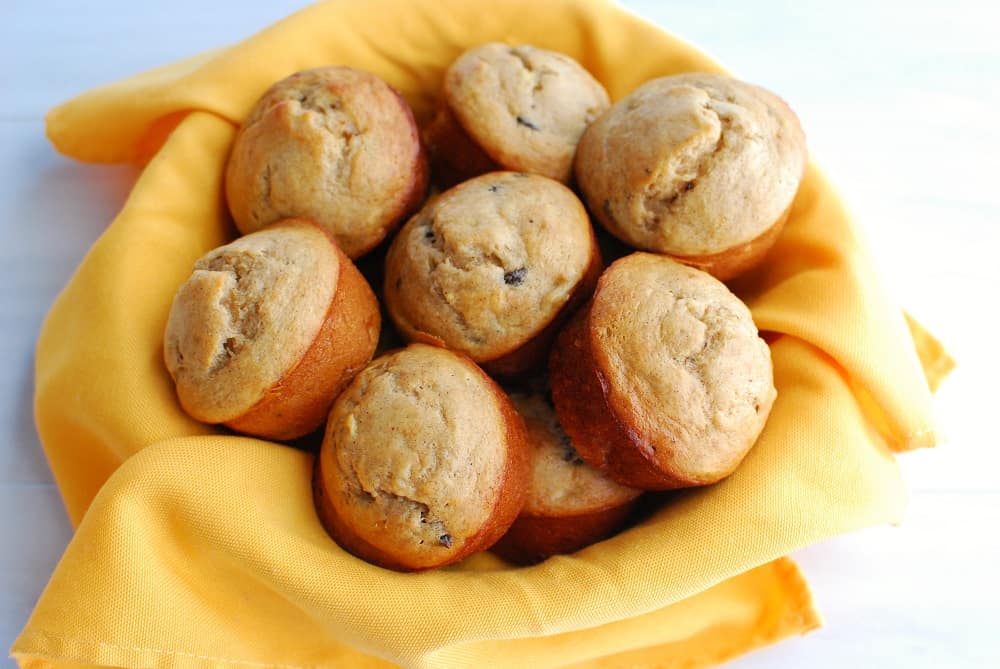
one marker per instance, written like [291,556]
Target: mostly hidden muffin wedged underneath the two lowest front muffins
[570,504]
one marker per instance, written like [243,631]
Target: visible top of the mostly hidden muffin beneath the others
[562,484]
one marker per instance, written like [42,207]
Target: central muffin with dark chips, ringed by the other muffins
[491,268]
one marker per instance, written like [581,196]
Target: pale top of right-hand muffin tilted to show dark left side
[684,365]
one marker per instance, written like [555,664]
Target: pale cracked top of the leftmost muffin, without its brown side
[247,315]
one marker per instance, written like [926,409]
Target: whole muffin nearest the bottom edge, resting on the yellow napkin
[424,461]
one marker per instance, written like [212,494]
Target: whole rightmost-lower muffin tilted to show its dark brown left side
[662,380]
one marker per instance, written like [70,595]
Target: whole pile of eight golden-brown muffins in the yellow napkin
[525,395]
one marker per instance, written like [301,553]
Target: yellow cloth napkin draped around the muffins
[197,549]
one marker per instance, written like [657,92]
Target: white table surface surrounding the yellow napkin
[900,102]
